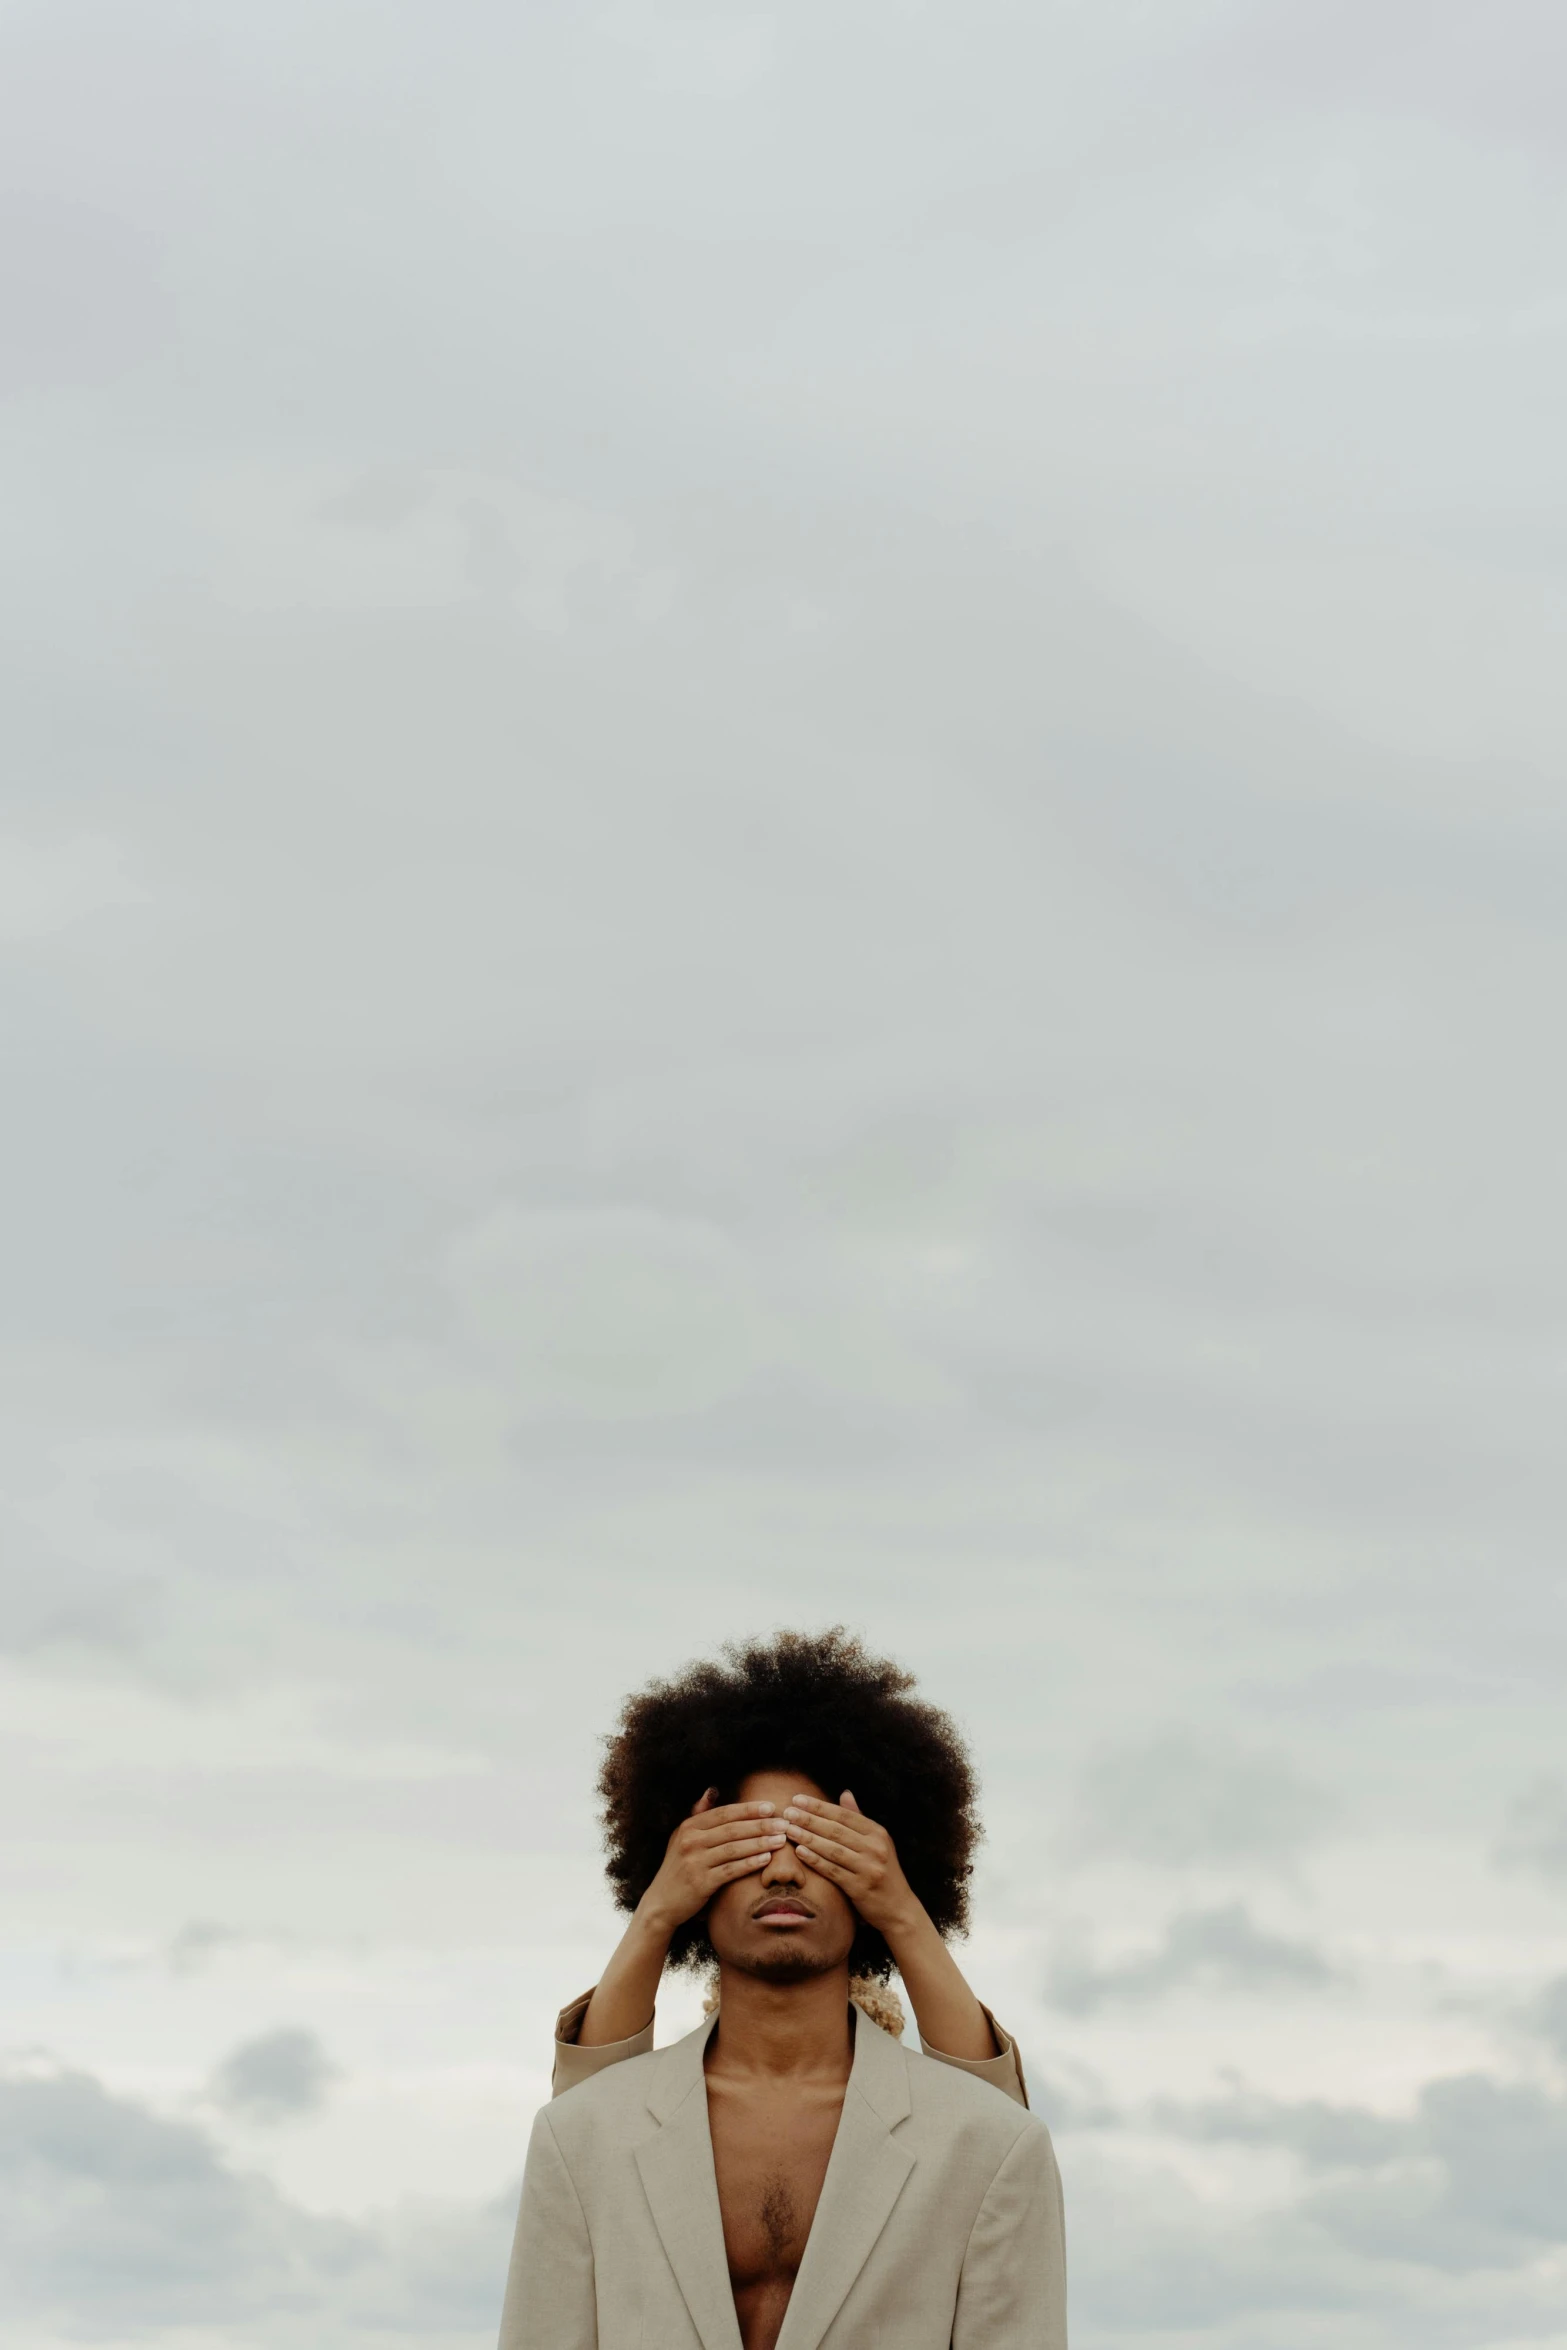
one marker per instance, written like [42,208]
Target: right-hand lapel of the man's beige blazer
[866,2177]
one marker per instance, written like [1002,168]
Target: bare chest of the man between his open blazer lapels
[772,2158]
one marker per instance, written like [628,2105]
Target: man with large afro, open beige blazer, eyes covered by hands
[788,2177]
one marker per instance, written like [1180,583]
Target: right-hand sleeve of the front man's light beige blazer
[1014,2285]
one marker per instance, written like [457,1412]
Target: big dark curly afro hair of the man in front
[809,1703]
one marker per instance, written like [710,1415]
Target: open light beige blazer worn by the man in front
[939,2229]
